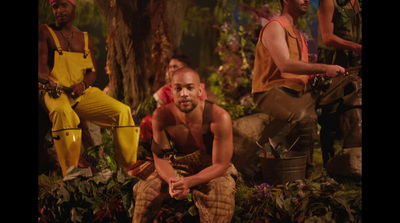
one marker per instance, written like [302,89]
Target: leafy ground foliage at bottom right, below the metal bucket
[321,200]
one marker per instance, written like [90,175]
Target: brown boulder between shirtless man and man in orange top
[246,131]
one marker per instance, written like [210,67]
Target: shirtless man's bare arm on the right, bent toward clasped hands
[222,152]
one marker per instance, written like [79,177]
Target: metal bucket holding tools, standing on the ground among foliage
[279,171]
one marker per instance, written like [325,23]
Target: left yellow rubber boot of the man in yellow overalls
[68,147]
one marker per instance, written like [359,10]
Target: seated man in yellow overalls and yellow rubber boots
[66,57]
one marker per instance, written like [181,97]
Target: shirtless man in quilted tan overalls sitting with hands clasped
[192,148]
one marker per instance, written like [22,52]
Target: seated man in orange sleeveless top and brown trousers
[281,71]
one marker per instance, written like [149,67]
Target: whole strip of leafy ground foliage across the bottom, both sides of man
[108,196]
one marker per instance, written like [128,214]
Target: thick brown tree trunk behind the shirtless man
[139,44]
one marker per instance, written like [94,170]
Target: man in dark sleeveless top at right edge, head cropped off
[339,42]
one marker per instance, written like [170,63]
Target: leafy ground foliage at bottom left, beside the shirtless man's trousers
[104,197]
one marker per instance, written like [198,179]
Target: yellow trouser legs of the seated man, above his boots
[93,105]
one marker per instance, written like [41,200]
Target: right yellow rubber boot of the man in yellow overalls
[126,141]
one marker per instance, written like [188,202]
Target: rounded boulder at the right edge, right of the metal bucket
[346,165]
